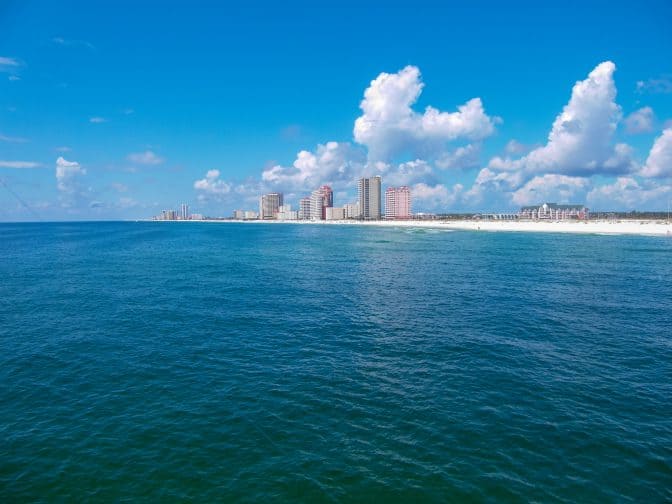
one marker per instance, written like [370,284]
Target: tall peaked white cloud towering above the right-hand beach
[580,141]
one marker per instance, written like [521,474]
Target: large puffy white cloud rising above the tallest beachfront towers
[389,126]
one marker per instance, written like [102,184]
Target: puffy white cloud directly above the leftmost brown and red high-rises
[331,163]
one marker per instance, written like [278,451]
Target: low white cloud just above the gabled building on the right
[554,188]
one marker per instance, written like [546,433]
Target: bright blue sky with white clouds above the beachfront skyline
[118,110]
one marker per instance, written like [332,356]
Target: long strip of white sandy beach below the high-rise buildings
[599,227]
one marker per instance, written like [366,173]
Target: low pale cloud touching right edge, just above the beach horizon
[626,193]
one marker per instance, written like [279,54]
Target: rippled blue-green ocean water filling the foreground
[255,362]
